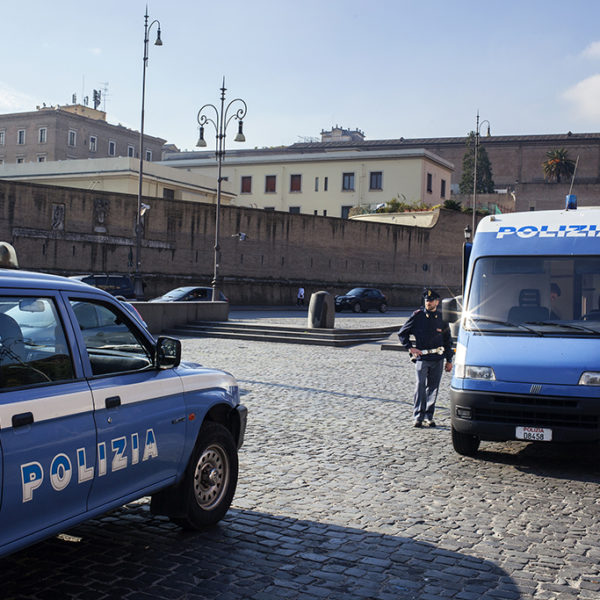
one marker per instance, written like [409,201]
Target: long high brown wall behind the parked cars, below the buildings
[70,231]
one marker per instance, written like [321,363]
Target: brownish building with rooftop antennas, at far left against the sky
[53,133]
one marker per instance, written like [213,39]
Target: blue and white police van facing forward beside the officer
[527,363]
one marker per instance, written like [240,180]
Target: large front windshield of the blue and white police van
[535,293]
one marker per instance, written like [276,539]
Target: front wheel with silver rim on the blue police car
[210,478]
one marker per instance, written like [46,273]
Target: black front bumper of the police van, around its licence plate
[495,417]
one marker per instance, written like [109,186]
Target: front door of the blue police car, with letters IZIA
[139,410]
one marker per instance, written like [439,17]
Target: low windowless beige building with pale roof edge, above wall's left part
[120,175]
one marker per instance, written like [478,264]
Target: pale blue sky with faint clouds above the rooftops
[391,68]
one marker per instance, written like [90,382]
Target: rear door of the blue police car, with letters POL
[47,428]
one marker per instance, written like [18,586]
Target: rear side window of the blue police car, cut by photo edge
[33,347]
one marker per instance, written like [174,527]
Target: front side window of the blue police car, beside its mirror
[111,341]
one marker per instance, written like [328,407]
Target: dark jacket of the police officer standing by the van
[429,332]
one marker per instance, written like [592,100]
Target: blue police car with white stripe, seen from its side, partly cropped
[94,413]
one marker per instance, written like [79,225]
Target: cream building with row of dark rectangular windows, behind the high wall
[325,183]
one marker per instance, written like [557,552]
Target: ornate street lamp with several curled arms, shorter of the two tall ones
[220,123]
